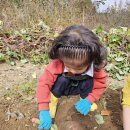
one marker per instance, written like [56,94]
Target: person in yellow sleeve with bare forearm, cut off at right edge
[126,104]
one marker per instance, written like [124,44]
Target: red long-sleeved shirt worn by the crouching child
[50,75]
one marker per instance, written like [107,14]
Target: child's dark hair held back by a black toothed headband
[78,42]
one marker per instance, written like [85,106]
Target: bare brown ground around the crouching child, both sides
[18,103]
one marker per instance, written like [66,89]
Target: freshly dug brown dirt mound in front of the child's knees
[70,119]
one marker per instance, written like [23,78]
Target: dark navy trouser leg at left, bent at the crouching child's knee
[60,85]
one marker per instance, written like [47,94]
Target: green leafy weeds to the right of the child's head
[117,44]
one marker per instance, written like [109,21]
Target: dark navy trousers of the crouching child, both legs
[66,86]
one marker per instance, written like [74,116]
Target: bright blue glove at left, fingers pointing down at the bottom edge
[45,120]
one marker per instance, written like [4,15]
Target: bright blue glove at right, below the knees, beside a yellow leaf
[83,106]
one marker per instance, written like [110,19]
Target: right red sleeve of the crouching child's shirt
[99,79]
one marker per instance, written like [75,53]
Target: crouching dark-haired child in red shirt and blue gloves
[76,69]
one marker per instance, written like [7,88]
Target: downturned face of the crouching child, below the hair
[75,66]
